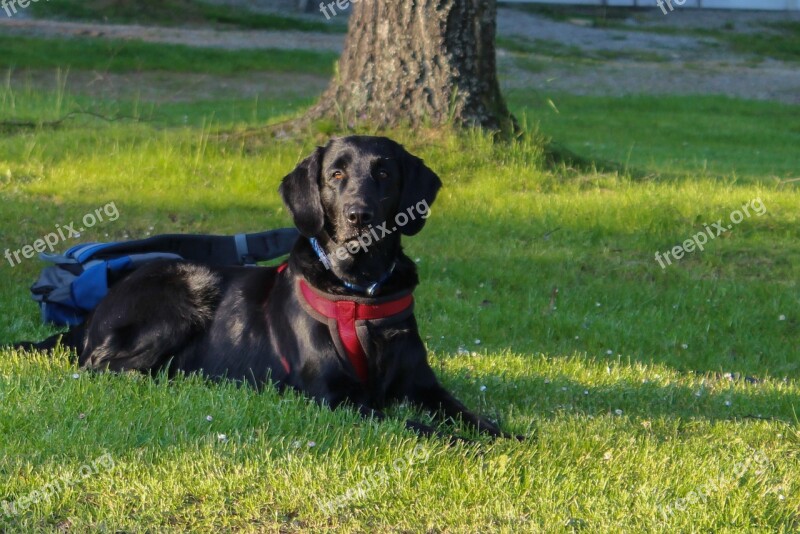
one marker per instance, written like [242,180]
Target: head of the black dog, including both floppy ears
[359,185]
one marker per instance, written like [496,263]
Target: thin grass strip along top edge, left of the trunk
[178,12]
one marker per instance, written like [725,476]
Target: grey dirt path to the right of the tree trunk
[684,66]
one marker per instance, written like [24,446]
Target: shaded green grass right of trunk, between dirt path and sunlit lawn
[673,136]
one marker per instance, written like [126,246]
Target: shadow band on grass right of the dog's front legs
[684,398]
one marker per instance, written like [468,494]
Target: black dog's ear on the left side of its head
[300,192]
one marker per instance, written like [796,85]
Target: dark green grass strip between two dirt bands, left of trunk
[124,56]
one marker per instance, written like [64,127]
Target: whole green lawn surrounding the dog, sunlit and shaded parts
[655,399]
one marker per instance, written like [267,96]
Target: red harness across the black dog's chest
[345,311]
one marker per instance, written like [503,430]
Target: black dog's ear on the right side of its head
[420,185]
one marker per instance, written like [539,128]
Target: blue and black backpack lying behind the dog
[69,290]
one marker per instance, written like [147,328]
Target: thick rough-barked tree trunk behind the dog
[418,62]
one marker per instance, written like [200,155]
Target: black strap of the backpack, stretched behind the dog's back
[213,249]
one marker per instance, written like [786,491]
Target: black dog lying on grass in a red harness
[336,322]
